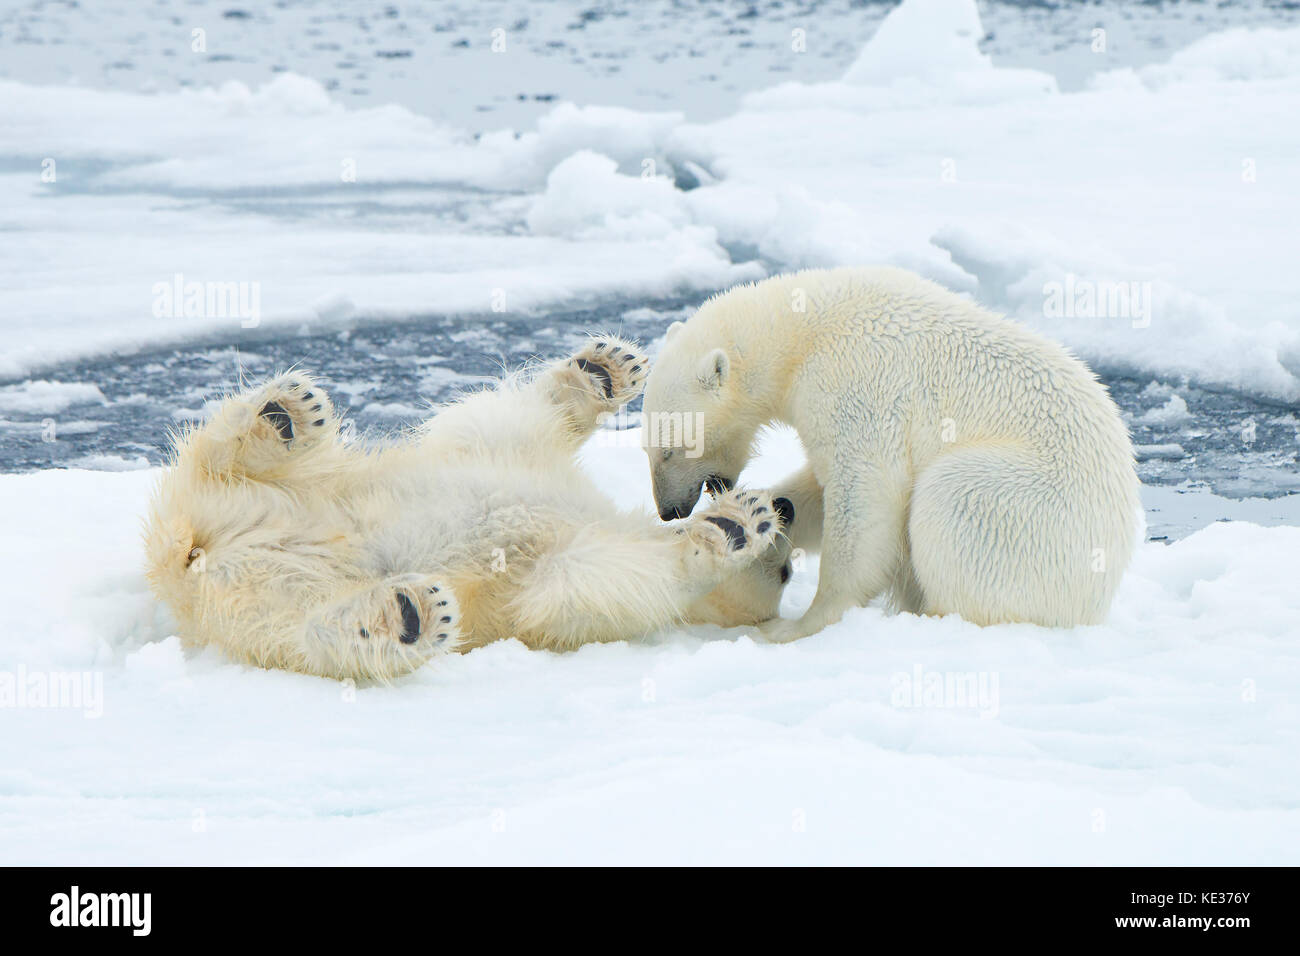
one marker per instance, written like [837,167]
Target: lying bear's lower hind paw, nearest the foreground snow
[384,629]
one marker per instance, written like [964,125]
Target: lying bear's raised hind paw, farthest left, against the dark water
[268,432]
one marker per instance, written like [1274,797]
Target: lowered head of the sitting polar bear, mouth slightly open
[700,427]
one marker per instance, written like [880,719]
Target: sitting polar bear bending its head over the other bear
[956,461]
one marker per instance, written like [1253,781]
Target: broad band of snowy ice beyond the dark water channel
[1175,181]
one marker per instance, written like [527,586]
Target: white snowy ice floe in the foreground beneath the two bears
[1165,737]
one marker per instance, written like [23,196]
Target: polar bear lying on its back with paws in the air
[274,539]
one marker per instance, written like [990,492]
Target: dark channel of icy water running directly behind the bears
[384,377]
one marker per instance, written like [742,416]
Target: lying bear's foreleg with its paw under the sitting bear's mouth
[610,582]
